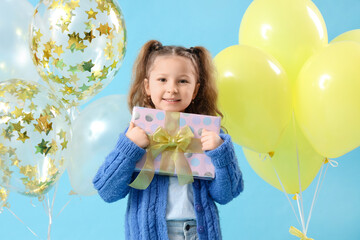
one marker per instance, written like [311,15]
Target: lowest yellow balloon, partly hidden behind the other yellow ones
[284,164]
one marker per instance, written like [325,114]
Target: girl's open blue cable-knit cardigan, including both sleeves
[146,209]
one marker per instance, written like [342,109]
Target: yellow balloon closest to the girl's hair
[254,96]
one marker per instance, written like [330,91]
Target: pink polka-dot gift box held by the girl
[153,121]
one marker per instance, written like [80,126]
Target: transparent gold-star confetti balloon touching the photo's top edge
[77,46]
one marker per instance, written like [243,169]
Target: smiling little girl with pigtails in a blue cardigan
[177,79]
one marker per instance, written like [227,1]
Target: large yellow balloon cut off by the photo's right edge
[327,99]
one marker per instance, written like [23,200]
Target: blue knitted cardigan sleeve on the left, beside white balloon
[114,175]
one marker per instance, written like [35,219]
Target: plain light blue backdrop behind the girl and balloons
[261,211]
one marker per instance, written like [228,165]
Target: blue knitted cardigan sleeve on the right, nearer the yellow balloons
[228,182]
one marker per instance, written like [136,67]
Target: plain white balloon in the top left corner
[15,58]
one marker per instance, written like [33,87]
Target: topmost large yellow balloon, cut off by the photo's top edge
[291,31]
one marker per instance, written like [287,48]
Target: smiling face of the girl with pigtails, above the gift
[172,83]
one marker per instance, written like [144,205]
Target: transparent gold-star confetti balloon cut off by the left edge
[34,128]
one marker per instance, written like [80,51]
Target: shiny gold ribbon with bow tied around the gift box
[171,142]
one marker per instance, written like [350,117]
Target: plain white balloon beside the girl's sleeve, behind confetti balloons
[95,132]
